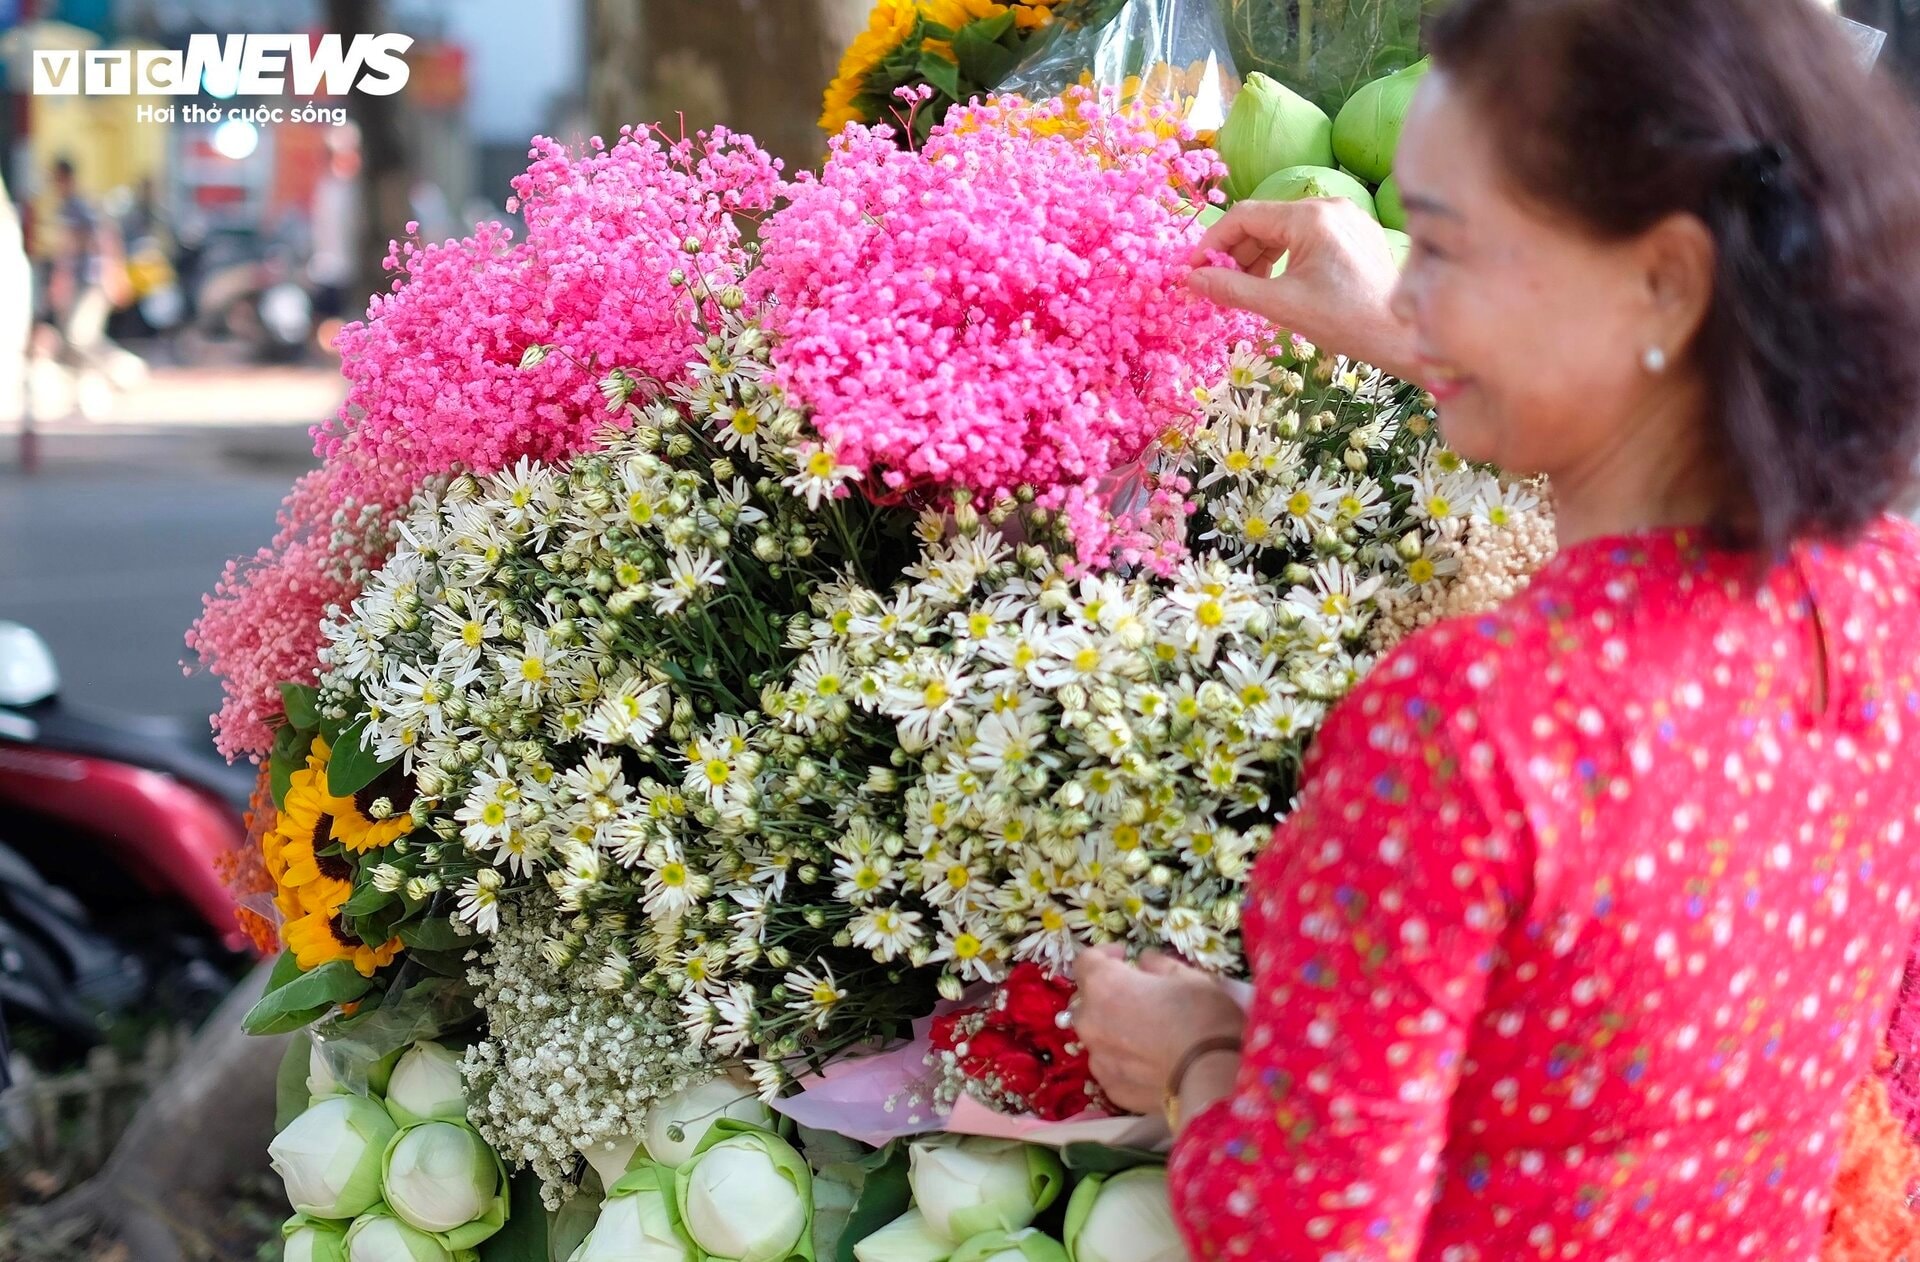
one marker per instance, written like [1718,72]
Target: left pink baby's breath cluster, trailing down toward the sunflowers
[435,377]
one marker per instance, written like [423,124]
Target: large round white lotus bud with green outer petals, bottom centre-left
[746,1196]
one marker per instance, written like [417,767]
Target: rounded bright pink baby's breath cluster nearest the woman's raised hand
[1005,308]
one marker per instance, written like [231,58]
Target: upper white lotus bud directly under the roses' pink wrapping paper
[967,1186]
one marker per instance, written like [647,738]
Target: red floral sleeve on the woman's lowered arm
[1374,929]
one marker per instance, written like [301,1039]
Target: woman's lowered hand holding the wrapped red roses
[1138,1021]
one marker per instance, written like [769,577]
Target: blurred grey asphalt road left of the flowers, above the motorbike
[108,548]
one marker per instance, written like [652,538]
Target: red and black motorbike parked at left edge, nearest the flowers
[112,833]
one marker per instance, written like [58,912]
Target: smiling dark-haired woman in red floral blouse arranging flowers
[1593,910]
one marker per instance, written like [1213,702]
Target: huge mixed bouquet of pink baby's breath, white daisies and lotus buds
[708,660]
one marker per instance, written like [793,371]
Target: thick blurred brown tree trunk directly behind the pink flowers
[757,66]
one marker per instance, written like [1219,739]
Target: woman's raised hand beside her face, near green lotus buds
[1339,283]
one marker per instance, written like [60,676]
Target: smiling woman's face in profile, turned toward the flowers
[1531,333]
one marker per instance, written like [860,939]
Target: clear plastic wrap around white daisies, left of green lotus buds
[1151,51]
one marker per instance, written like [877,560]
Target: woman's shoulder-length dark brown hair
[1758,118]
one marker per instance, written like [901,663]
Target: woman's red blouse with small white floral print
[1589,915]
